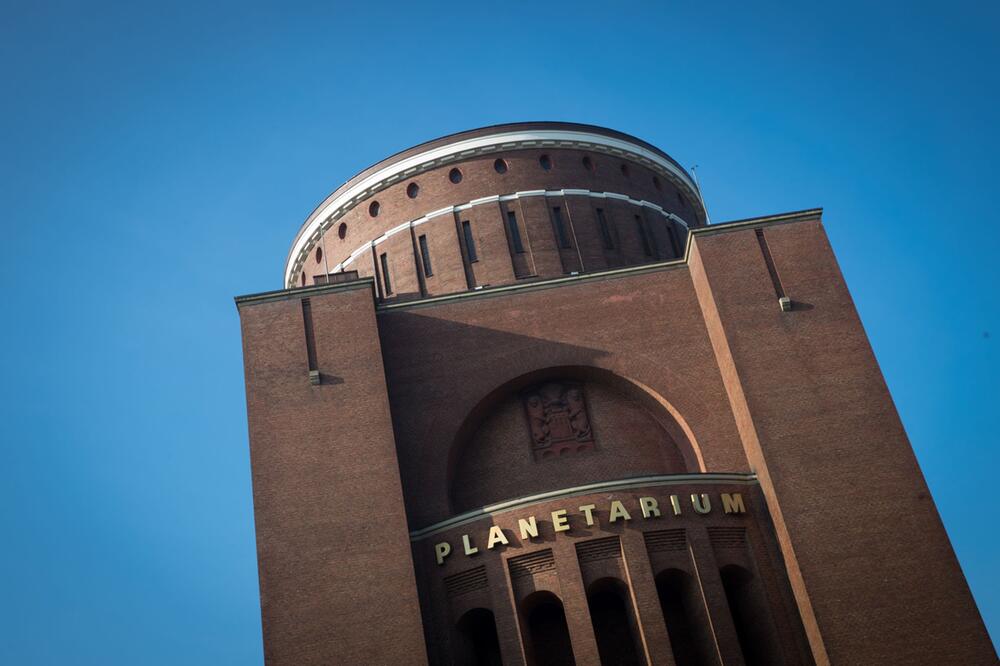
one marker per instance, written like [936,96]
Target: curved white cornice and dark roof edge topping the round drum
[548,133]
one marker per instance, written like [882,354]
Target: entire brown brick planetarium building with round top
[519,403]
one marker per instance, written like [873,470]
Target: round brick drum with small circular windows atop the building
[500,205]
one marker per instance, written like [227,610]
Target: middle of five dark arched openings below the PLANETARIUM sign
[614,623]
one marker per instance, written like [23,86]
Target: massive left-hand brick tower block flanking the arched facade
[336,569]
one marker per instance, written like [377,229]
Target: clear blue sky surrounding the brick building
[156,161]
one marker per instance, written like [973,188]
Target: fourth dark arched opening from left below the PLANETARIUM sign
[679,602]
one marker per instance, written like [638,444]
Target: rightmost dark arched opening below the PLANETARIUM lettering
[751,617]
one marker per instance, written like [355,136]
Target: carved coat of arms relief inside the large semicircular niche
[557,417]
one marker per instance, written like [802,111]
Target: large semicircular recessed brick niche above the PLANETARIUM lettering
[563,427]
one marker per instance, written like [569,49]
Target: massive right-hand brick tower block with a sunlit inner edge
[850,507]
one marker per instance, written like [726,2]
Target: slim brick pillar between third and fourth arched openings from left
[655,639]
